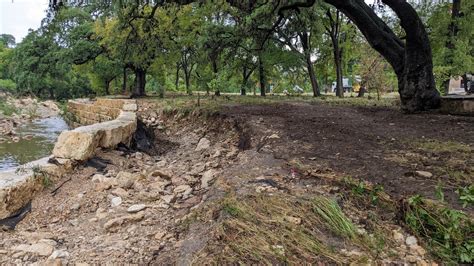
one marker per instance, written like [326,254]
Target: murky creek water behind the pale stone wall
[44,133]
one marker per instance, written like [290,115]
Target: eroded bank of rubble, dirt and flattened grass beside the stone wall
[249,185]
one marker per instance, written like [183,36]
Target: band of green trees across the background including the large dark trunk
[137,47]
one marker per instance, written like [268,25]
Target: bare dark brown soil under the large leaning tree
[360,142]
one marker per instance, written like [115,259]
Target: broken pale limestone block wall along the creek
[118,122]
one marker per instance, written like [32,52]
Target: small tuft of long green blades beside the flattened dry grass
[333,217]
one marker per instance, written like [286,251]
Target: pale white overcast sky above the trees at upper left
[17,16]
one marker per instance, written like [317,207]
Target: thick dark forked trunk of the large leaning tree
[411,61]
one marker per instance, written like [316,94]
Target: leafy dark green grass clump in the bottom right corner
[448,232]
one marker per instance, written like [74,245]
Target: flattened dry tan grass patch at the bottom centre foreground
[257,230]
